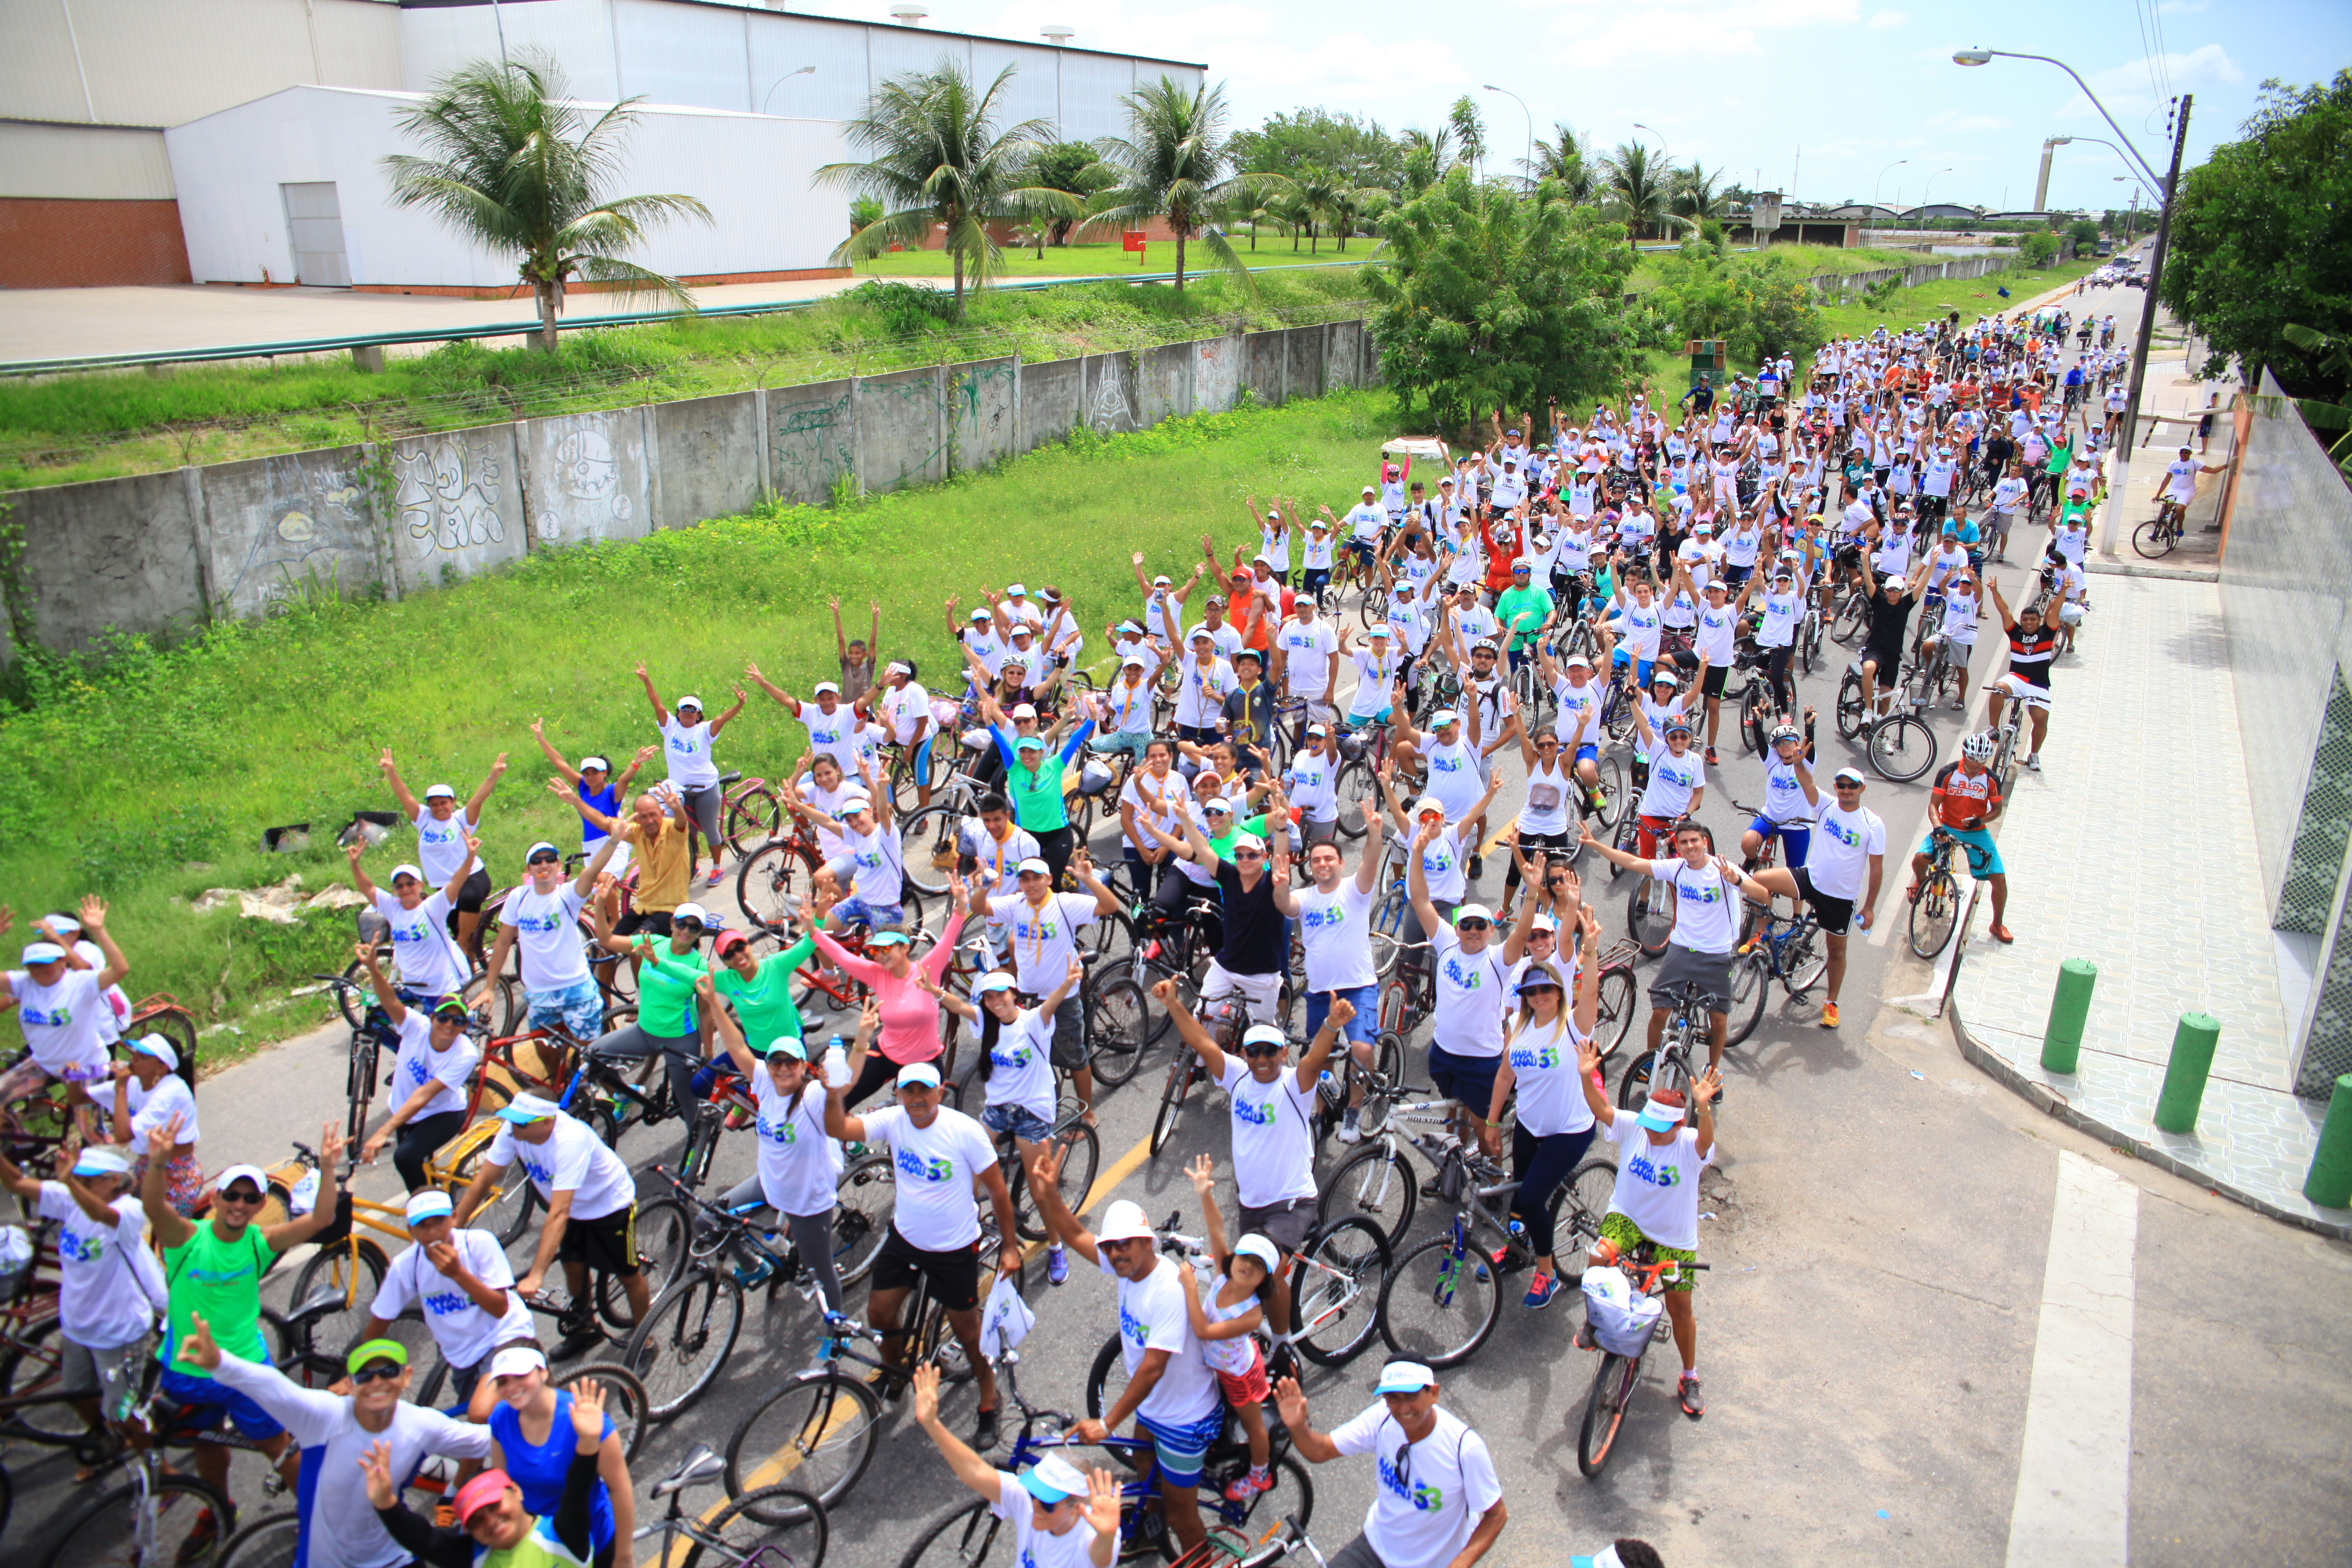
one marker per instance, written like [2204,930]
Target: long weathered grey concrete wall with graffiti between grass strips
[166,551]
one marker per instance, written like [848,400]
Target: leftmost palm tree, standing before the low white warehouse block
[526,173]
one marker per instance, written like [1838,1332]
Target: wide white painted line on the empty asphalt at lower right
[2073,1506]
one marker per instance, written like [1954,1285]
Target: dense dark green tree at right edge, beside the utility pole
[2264,239]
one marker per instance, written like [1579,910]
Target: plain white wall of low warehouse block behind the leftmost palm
[751,170]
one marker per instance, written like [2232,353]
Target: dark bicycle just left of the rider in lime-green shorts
[1445,1296]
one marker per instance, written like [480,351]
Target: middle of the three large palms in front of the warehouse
[937,159]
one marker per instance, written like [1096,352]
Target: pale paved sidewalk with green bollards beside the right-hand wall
[2127,857]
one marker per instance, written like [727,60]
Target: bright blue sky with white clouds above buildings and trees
[1817,98]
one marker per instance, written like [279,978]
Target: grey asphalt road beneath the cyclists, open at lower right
[1939,1327]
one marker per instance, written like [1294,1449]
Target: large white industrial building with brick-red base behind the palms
[241,142]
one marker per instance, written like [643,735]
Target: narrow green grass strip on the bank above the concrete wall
[107,424]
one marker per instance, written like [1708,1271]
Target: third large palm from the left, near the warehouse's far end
[1175,166]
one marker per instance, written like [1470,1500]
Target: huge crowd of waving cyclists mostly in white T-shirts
[1278,782]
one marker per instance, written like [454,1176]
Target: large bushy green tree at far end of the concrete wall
[1502,302]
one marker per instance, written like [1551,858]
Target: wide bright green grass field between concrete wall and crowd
[178,758]
